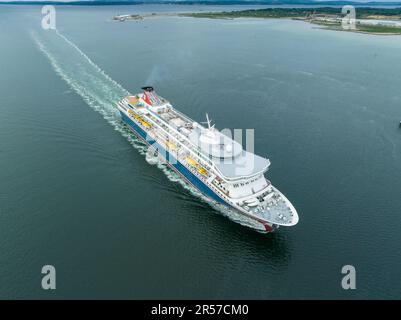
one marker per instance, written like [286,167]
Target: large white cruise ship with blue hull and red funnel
[208,159]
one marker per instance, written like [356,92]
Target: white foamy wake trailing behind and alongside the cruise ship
[100,92]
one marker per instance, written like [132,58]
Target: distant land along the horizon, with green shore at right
[381,18]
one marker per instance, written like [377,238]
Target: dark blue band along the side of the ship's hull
[195,181]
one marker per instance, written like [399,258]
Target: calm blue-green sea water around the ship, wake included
[77,192]
